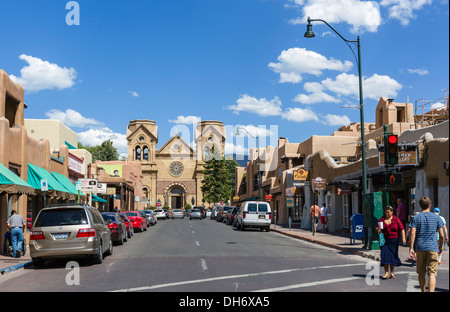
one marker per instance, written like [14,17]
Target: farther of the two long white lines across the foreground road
[220,278]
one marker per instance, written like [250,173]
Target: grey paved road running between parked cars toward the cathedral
[207,256]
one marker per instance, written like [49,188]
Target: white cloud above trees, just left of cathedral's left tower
[93,137]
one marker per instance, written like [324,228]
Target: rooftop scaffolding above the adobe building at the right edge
[427,113]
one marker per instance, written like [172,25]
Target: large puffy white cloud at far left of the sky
[42,75]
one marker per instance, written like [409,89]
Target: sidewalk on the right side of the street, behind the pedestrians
[341,241]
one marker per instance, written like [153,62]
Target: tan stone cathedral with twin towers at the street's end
[172,174]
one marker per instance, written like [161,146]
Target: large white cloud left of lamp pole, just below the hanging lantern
[294,62]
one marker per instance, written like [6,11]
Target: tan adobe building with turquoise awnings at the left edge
[24,161]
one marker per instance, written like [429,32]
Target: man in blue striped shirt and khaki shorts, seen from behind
[423,230]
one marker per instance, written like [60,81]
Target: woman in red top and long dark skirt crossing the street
[390,226]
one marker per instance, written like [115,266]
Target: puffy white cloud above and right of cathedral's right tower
[261,106]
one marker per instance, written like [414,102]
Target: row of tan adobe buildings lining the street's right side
[337,159]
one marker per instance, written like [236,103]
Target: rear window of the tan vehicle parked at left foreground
[61,216]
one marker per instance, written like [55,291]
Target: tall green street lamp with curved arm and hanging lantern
[310,34]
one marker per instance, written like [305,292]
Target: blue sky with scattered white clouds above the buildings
[243,62]
